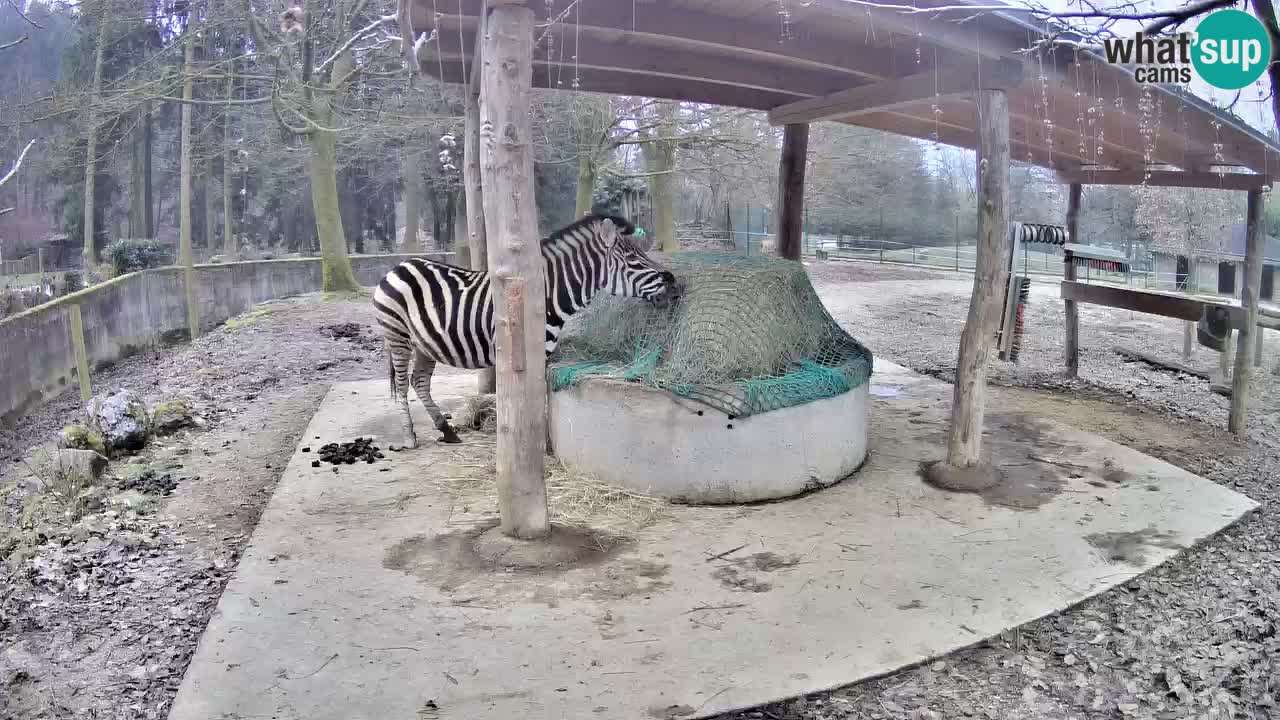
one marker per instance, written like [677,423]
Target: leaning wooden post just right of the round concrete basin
[964,443]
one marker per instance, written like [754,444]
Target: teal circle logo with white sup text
[1232,49]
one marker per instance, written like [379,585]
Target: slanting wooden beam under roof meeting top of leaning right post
[900,93]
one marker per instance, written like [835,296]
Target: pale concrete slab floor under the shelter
[360,599]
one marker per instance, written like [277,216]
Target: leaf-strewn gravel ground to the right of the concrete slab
[1196,639]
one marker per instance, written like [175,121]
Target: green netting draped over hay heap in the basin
[748,335]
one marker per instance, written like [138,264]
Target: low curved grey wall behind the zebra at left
[140,311]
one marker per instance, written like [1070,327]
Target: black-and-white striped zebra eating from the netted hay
[433,313]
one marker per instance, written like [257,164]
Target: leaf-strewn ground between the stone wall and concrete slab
[103,616]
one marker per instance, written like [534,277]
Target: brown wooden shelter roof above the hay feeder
[1069,108]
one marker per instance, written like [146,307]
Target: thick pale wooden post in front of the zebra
[516,267]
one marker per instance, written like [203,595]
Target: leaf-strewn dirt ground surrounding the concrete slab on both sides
[103,621]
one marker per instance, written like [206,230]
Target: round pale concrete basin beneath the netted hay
[661,445]
